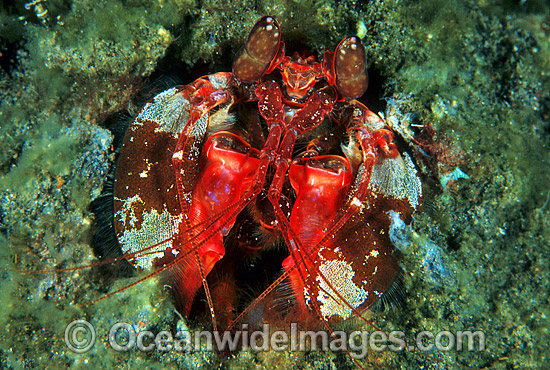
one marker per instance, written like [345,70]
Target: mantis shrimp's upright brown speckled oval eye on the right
[350,67]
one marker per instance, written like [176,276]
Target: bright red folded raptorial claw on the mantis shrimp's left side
[229,168]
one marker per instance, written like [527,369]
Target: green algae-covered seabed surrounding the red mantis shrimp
[477,72]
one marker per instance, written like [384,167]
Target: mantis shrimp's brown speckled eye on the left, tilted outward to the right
[258,51]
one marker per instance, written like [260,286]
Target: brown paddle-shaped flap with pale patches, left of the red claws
[147,209]
